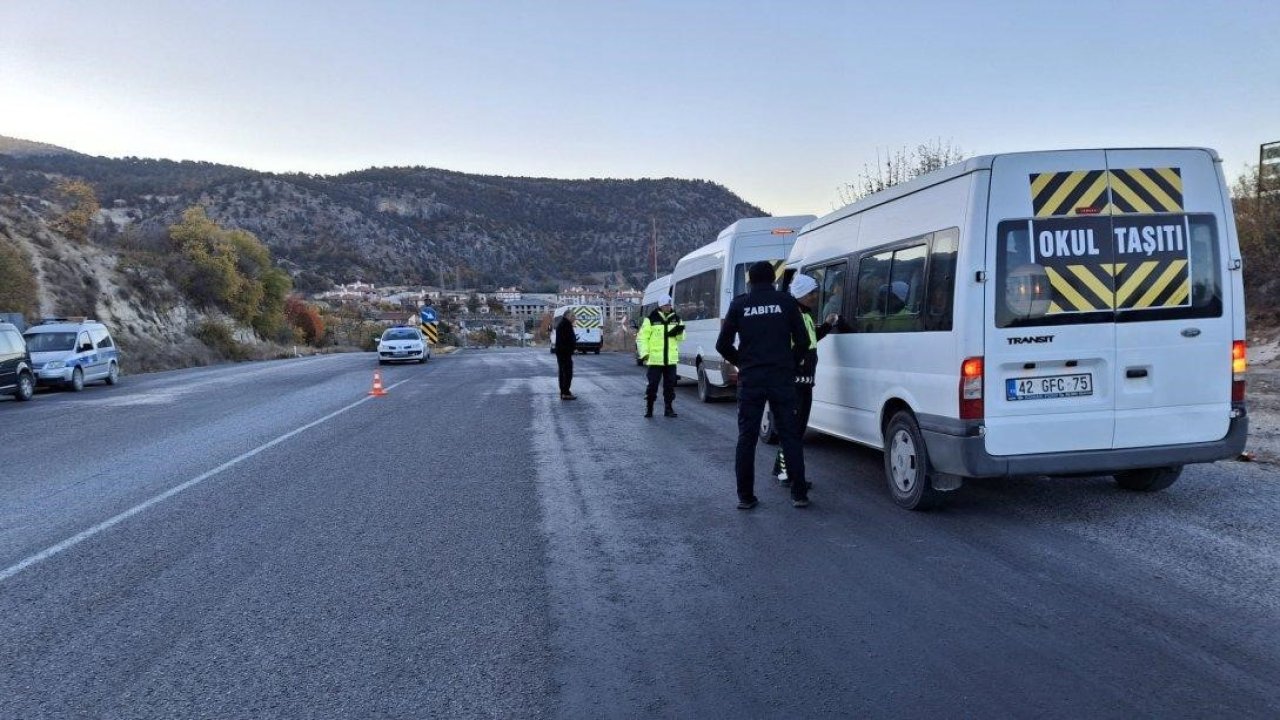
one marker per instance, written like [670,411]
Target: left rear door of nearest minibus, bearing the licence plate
[1050,359]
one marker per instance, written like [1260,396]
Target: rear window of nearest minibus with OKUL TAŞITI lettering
[1103,270]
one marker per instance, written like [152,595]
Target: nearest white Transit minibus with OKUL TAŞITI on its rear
[1058,313]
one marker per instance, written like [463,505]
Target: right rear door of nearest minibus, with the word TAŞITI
[1174,331]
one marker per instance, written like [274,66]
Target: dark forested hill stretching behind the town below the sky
[403,225]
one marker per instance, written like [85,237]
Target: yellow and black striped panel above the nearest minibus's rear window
[1107,193]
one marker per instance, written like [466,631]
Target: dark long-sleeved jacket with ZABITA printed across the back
[772,340]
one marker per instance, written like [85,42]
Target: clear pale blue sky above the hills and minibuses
[780,102]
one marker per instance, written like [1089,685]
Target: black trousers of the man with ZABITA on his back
[751,408]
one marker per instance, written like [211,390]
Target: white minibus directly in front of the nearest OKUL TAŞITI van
[707,280]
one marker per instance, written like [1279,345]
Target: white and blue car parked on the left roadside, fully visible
[70,353]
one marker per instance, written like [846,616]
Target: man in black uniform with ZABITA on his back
[772,341]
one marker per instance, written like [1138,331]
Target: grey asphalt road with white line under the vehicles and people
[266,541]
